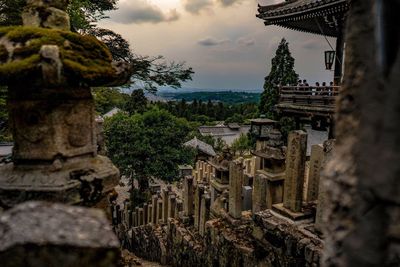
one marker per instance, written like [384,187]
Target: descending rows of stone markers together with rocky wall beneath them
[266,186]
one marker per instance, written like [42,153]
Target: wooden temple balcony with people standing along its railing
[308,100]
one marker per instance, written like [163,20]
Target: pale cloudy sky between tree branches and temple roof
[227,46]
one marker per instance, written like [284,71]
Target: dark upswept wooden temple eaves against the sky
[314,16]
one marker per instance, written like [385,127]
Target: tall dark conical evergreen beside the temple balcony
[282,73]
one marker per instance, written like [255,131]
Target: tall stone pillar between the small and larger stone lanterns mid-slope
[235,188]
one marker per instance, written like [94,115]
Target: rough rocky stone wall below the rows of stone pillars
[264,240]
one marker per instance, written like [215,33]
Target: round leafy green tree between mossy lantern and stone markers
[148,145]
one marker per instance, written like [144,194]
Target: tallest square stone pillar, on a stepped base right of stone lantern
[295,168]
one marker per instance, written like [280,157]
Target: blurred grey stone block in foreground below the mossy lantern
[56,235]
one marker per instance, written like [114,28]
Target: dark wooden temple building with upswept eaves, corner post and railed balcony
[322,17]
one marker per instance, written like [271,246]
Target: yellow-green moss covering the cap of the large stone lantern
[85,59]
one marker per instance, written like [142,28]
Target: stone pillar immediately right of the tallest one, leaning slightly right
[316,160]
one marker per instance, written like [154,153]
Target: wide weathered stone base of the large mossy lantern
[77,180]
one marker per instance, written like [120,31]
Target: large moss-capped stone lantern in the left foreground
[49,71]
